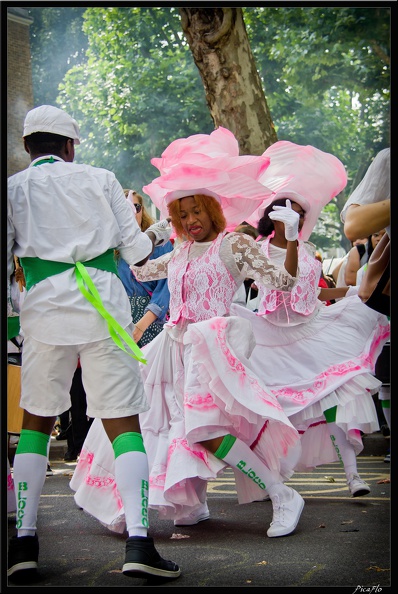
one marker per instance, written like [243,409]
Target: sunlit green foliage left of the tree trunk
[138,91]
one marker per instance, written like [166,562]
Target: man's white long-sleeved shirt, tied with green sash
[68,212]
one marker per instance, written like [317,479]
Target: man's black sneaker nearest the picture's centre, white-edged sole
[142,559]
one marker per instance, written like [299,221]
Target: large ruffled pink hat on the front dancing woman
[210,164]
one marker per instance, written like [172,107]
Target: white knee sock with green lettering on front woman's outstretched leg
[240,456]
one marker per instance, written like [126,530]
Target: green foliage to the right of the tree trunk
[326,76]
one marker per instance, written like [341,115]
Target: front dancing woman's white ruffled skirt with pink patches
[199,389]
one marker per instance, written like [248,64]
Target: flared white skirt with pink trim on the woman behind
[326,362]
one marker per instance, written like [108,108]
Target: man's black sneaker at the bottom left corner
[23,555]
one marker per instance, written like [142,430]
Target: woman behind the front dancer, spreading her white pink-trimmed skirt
[318,361]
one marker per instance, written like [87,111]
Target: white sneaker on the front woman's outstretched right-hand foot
[287,508]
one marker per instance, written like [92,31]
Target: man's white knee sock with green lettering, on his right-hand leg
[132,480]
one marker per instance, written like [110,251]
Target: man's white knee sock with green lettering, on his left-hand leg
[29,477]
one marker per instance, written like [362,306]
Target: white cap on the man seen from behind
[48,118]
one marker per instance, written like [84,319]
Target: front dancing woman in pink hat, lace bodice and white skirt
[207,408]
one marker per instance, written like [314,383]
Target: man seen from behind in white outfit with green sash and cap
[64,222]
